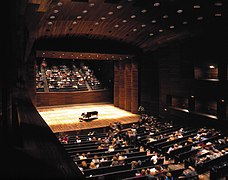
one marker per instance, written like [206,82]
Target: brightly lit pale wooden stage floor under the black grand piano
[63,118]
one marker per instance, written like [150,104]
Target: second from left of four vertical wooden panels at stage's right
[121,85]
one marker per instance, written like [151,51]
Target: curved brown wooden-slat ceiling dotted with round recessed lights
[143,24]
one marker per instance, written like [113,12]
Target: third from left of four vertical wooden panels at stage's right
[127,80]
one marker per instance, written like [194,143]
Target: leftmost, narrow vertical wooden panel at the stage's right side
[116,84]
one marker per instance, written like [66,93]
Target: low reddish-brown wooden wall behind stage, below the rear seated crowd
[63,98]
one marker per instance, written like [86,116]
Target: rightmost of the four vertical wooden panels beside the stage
[134,87]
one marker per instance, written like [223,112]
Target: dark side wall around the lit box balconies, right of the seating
[176,72]
